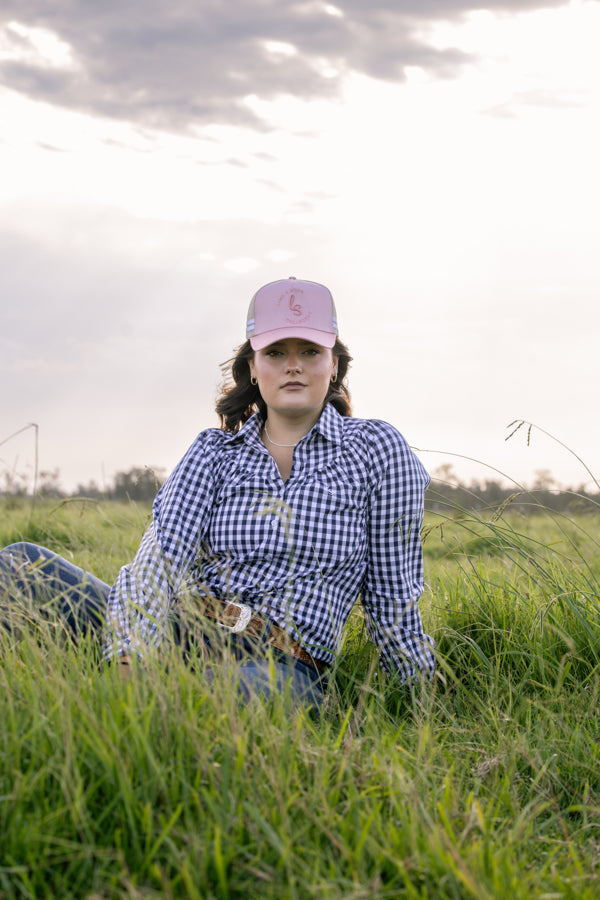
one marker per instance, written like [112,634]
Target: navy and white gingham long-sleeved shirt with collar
[346,522]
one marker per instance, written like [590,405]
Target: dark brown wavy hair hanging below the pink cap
[240,399]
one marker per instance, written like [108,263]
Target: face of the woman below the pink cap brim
[294,376]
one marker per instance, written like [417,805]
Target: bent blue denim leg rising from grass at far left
[48,580]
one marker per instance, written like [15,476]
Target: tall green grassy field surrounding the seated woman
[483,784]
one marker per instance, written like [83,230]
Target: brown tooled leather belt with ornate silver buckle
[240,618]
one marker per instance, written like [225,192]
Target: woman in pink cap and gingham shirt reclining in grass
[272,525]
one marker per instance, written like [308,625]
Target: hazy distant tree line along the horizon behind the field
[445,495]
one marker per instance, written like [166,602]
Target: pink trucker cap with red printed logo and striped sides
[292,308]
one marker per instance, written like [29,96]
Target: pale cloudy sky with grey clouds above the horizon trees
[433,162]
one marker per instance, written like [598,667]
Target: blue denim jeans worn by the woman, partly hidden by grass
[79,599]
